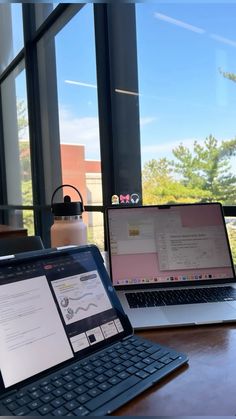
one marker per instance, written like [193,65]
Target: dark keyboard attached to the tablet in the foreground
[98,384]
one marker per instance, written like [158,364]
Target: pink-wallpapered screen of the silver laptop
[168,244]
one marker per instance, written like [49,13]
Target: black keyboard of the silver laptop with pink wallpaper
[183,296]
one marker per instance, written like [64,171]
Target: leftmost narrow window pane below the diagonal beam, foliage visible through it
[16,145]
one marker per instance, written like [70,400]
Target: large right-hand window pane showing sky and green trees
[187,75]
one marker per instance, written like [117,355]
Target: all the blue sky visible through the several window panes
[182,95]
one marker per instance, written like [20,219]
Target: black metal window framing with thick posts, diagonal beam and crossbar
[107,18]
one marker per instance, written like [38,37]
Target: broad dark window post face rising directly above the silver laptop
[125,105]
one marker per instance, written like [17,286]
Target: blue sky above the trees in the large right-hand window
[184,47]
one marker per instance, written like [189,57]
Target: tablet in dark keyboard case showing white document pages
[67,347]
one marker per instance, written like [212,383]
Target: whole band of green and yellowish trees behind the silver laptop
[201,175]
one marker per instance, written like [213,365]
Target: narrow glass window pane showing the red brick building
[78,115]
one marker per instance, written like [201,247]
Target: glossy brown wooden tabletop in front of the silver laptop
[207,386]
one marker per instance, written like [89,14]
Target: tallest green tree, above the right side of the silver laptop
[208,168]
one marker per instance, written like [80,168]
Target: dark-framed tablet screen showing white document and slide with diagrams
[55,308]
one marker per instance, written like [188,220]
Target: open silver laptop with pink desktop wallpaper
[171,265]
